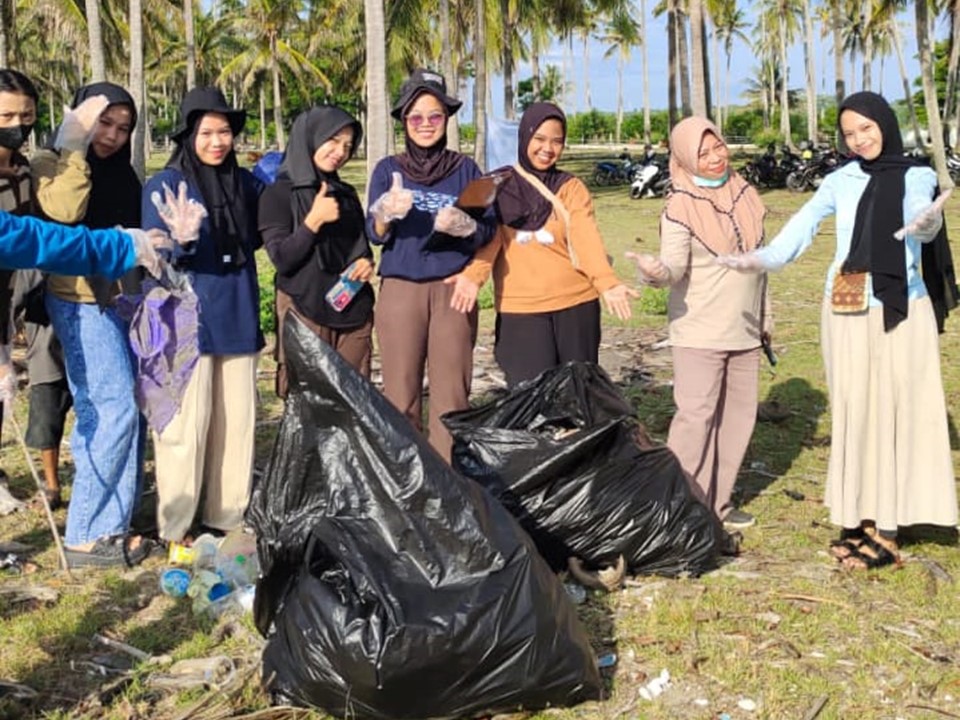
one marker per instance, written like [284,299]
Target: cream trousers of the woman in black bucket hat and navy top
[208,446]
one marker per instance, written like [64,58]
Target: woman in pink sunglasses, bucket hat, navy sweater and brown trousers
[425,239]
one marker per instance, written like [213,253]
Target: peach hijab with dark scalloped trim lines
[725,219]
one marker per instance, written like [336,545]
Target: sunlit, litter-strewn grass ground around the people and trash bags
[780,630]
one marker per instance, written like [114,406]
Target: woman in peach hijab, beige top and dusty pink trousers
[716,316]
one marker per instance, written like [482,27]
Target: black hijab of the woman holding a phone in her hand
[310,130]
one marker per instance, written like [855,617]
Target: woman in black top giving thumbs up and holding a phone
[312,225]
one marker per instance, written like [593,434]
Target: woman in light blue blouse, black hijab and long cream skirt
[890,463]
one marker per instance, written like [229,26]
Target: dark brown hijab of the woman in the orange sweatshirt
[519,204]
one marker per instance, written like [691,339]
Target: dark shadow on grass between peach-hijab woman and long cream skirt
[786,425]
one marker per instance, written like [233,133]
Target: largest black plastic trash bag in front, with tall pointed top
[393,587]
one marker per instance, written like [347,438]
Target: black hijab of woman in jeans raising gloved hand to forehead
[115,187]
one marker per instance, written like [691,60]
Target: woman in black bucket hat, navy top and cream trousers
[209,442]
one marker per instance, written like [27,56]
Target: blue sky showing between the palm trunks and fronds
[603,72]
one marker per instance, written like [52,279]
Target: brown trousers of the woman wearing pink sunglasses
[415,327]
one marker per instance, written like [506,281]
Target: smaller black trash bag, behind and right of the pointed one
[561,452]
